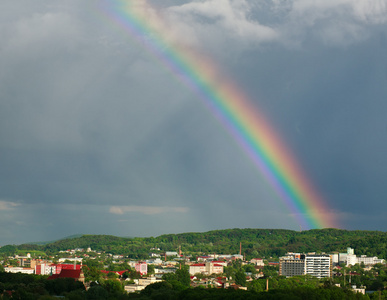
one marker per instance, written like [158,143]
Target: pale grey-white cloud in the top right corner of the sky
[332,22]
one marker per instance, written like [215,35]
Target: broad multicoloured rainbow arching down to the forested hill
[230,106]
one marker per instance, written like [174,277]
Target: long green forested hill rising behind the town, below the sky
[255,243]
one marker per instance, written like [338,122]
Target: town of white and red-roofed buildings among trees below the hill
[343,271]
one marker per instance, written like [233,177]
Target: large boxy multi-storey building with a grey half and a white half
[295,264]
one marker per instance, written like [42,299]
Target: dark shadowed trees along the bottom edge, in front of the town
[31,287]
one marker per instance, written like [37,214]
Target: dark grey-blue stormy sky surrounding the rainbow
[98,136]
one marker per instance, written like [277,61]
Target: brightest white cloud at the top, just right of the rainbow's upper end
[219,21]
